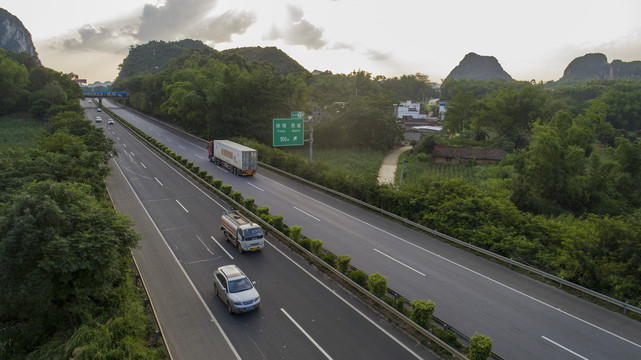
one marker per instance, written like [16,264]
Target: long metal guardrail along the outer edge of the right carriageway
[562,282]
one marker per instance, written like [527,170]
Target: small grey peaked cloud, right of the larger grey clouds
[298,31]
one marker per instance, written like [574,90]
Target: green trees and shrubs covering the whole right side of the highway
[565,199]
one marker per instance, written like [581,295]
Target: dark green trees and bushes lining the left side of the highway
[66,271]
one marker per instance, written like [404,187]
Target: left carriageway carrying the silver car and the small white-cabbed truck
[303,315]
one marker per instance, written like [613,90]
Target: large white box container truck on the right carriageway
[239,159]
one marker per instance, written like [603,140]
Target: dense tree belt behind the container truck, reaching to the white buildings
[222,96]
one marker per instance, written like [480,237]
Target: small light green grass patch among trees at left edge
[18,131]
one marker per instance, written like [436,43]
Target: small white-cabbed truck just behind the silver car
[246,235]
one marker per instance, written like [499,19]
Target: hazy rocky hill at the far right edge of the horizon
[596,66]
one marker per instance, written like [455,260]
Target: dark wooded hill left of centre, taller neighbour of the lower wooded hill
[156,56]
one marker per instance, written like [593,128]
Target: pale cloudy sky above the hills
[532,40]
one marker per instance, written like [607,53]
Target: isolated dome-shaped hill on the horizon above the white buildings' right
[477,67]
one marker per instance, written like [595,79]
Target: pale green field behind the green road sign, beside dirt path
[354,160]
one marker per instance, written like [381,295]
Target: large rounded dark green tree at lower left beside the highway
[60,251]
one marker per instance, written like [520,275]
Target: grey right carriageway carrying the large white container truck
[526,319]
